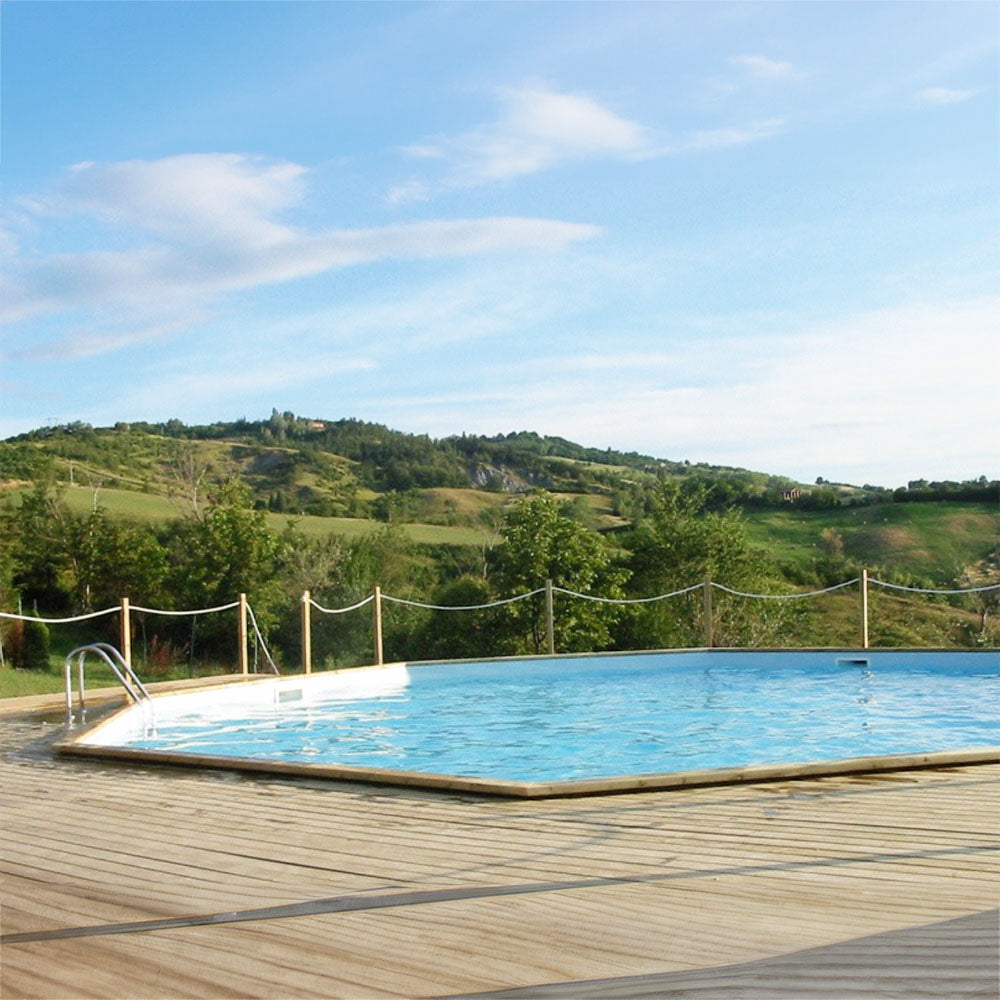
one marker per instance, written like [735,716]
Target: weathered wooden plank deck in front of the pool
[132,882]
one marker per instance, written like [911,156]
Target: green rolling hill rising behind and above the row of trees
[347,476]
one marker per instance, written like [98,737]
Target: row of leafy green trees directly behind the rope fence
[60,563]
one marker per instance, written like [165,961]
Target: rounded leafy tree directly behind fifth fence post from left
[541,542]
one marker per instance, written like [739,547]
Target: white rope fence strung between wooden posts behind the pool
[246,616]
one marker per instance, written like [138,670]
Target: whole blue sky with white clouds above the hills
[754,234]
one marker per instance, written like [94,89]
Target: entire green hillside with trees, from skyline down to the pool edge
[182,517]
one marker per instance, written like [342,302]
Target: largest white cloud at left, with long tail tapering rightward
[198,227]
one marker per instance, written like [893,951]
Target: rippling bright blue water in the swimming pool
[589,717]
